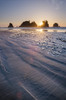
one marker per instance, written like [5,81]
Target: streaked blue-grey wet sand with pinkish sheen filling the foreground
[26,73]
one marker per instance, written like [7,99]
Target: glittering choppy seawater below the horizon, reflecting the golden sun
[52,40]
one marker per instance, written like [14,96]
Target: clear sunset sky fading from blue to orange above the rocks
[17,11]
